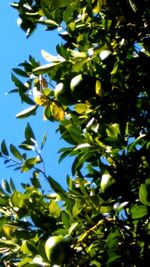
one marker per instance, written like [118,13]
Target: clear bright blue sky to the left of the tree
[14,49]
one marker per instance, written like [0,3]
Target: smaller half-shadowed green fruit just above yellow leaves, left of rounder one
[62,95]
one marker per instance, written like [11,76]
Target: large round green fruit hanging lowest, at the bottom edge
[56,250]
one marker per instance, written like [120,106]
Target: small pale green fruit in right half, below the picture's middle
[107,182]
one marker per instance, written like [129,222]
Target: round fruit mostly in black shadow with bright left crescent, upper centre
[83,87]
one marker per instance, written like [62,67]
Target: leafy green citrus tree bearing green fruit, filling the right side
[97,89]
